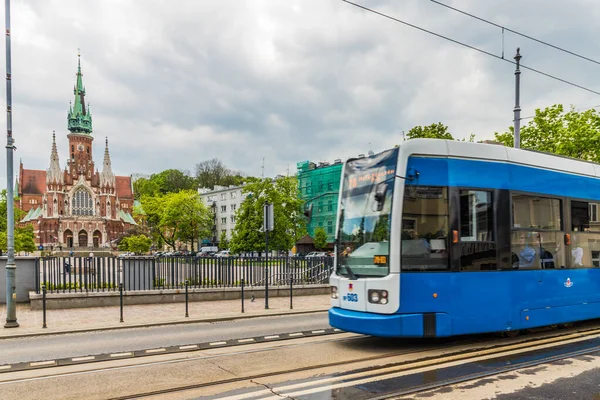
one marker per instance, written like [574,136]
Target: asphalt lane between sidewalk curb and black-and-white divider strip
[82,344]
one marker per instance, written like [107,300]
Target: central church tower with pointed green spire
[80,137]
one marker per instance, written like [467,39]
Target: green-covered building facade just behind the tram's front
[319,184]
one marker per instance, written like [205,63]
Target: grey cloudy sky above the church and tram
[174,83]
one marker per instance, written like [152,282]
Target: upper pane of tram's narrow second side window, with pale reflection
[476,216]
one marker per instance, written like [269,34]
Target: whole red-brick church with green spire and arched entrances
[76,207]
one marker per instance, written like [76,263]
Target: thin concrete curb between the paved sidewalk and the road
[165,323]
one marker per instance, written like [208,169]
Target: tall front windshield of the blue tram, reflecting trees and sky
[363,238]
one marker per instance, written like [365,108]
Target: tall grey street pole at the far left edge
[11,268]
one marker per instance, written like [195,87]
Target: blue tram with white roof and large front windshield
[439,238]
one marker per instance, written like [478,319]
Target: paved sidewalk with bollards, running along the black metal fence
[102,318]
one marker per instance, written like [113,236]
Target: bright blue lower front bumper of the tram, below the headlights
[390,325]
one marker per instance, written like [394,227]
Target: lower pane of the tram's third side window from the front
[538,250]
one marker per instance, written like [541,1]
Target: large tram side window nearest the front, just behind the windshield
[425,228]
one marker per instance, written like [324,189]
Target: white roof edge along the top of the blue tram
[498,153]
